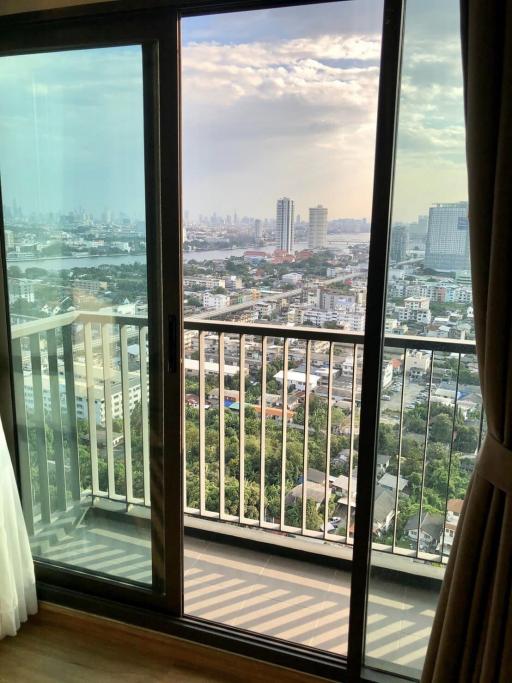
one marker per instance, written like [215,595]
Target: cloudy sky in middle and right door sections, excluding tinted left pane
[296,115]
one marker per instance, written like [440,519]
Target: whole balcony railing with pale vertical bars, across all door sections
[271,425]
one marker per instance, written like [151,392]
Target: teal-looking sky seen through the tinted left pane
[71,131]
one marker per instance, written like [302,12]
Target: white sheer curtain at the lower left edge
[17,583]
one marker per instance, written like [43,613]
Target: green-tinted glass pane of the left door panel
[72,164]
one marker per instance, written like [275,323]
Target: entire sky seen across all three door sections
[276,103]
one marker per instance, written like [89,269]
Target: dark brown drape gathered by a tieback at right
[472,633]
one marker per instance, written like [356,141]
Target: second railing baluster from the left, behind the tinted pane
[39,428]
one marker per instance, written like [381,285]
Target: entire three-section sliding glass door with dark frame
[218,414]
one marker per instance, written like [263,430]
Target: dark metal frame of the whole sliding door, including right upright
[156,25]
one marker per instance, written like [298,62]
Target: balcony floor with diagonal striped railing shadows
[254,590]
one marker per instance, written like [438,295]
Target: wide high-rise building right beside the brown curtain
[448,237]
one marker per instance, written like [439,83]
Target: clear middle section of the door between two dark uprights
[279,118]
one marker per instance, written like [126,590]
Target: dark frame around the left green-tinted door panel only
[155,31]
